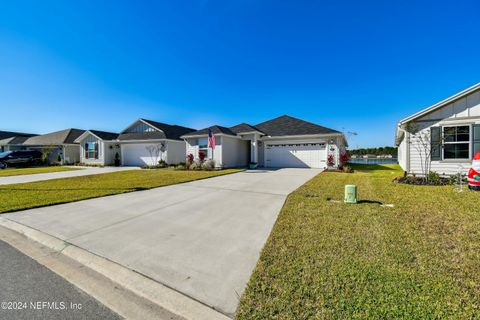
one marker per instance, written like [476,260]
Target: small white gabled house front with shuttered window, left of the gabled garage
[98,147]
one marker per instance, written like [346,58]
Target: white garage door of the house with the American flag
[295,155]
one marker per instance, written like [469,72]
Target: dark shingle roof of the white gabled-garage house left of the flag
[173,132]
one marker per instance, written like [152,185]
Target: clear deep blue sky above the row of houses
[350,65]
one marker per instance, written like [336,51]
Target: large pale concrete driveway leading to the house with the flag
[201,238]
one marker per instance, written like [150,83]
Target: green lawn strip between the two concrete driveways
[42,193]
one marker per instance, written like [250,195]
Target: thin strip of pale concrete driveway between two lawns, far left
[85,171]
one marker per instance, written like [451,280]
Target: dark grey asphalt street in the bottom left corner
[28,290]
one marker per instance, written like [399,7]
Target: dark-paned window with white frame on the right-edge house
[456,142]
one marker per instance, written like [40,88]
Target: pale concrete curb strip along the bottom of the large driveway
[144,287]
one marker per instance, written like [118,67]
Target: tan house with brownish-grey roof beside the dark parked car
[60,143]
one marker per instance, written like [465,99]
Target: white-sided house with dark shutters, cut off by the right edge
[452,130]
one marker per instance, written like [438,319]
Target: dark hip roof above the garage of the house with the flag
[290,126]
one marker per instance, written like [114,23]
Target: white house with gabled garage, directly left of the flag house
[146,142]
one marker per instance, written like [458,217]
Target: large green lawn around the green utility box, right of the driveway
[328,260]
